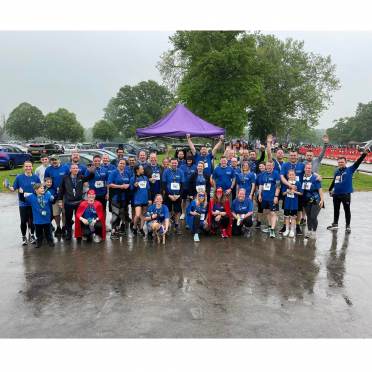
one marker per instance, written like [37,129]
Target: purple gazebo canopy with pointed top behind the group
[179,122]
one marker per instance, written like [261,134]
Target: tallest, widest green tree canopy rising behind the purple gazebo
[237,79]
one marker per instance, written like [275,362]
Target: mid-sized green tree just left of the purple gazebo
[138,106]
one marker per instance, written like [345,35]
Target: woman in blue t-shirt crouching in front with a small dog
[157,219]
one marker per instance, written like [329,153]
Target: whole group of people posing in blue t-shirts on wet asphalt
[151,198]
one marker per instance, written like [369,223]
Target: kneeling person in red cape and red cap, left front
[90,219]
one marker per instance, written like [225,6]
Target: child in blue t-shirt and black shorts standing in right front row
[291,204]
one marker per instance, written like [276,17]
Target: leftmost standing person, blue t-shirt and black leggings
[24,184]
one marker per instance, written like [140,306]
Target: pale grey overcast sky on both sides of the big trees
[81,71]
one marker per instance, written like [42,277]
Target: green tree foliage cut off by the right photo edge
[355,128]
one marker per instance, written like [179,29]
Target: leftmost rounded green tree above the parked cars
[25,122]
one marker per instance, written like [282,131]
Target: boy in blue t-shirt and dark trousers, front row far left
[41,202]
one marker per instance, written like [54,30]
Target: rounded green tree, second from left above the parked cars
[62,125]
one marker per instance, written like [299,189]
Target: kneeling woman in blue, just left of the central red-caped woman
[196,216]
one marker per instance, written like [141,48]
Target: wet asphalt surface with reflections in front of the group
[236,288]
